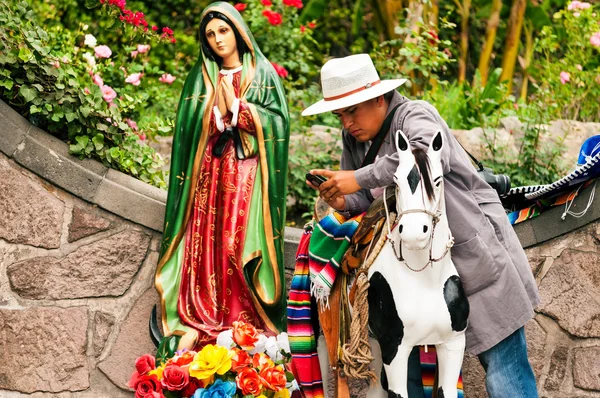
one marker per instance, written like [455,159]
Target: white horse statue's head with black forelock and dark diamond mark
[419,197]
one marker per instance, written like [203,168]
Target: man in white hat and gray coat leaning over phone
[496,275]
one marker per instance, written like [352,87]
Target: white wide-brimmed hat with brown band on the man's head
[349,81]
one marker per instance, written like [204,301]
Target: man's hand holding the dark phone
[338,184]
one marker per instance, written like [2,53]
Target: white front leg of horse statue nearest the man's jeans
[450,358]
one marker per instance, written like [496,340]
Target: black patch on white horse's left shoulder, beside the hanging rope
[383,317]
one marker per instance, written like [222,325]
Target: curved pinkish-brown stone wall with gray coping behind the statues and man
[79,246]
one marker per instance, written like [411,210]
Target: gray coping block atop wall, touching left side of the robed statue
[131,202]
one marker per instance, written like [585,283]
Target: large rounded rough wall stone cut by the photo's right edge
[573,280]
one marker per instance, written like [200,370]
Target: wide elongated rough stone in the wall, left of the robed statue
[103,268]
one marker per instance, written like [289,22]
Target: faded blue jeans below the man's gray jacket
[507,369]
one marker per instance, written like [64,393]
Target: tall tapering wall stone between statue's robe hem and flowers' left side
[132,342]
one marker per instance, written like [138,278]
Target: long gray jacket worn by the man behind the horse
[496,275]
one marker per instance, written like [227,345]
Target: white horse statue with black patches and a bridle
[415,295]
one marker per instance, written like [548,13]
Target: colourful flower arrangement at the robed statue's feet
[243,364]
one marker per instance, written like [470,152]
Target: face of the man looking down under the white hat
[363,120]
